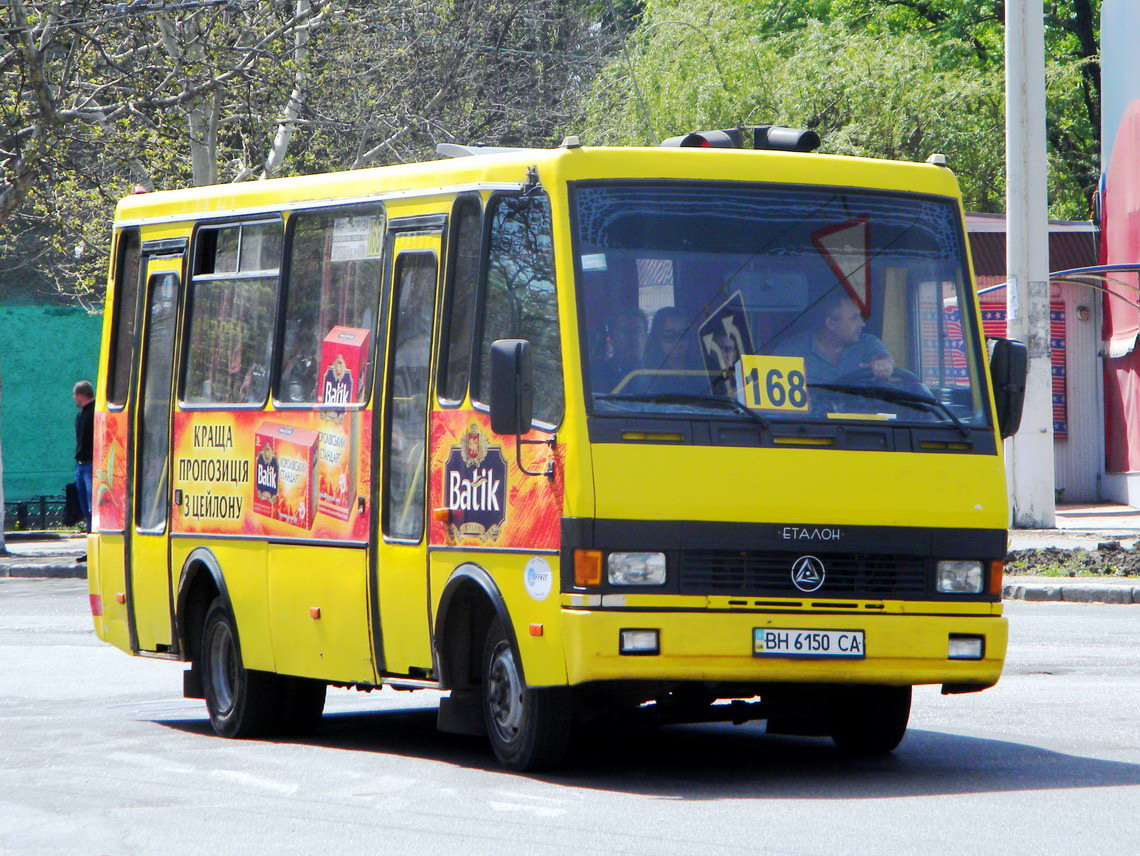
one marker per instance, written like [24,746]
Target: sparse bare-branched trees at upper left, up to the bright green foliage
[193,92]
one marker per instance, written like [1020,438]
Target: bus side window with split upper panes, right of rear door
[233,309]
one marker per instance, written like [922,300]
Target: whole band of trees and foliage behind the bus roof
[177,96]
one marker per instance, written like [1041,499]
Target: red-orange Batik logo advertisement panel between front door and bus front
[481,498]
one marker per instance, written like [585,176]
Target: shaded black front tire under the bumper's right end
[869,721]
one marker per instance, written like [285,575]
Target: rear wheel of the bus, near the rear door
[242,703]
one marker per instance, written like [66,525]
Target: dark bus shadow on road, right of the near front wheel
[724,762]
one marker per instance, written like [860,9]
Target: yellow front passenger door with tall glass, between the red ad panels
[404,639]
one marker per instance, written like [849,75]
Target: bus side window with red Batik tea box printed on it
[333,282]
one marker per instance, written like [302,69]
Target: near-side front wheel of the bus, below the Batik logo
[530,729]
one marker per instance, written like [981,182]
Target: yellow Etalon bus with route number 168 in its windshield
[571,434]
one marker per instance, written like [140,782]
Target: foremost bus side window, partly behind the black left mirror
[519,298]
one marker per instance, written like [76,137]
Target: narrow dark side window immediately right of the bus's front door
[465,254]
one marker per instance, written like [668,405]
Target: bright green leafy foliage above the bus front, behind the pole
[898,79]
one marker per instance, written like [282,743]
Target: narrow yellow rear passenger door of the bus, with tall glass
[151,607]
